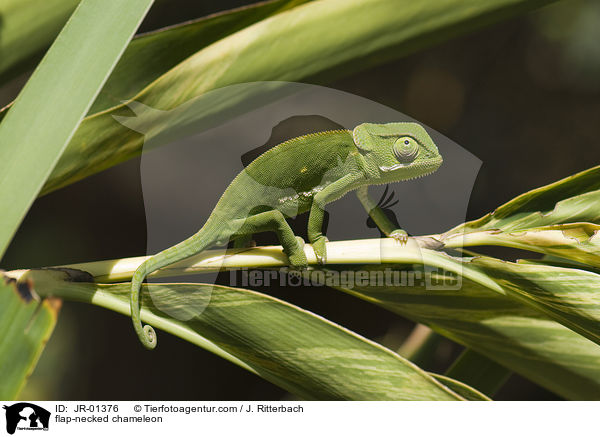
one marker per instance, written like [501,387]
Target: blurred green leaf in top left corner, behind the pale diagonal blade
[27,27]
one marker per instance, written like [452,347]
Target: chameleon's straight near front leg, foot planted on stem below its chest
[330,193]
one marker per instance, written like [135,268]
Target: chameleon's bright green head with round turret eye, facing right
[396,151]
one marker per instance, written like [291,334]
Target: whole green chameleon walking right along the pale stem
[299,175]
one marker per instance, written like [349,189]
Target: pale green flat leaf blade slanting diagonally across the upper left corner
[48,110]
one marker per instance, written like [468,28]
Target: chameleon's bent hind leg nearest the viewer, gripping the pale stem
[274,221]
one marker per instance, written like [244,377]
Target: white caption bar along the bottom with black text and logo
[303,418]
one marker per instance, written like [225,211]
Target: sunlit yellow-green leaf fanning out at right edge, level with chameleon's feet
[561,219]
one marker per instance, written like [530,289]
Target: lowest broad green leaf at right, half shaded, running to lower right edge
[514,335]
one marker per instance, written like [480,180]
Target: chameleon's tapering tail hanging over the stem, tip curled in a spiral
[180,251]
